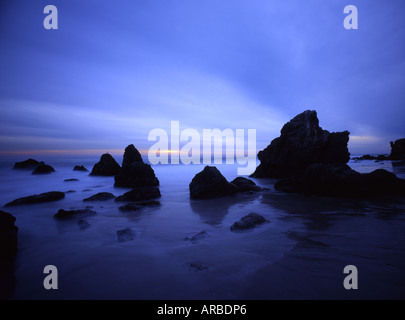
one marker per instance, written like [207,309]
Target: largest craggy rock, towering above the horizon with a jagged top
[302,142]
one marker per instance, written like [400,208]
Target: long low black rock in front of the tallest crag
[341,180]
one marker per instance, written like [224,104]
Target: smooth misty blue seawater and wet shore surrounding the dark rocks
[299,254]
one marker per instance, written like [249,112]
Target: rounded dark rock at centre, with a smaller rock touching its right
[210,183]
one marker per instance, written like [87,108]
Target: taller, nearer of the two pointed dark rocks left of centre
[135,173]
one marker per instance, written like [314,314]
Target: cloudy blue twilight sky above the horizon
[115,70]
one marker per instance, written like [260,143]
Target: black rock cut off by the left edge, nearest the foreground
[8,236]
